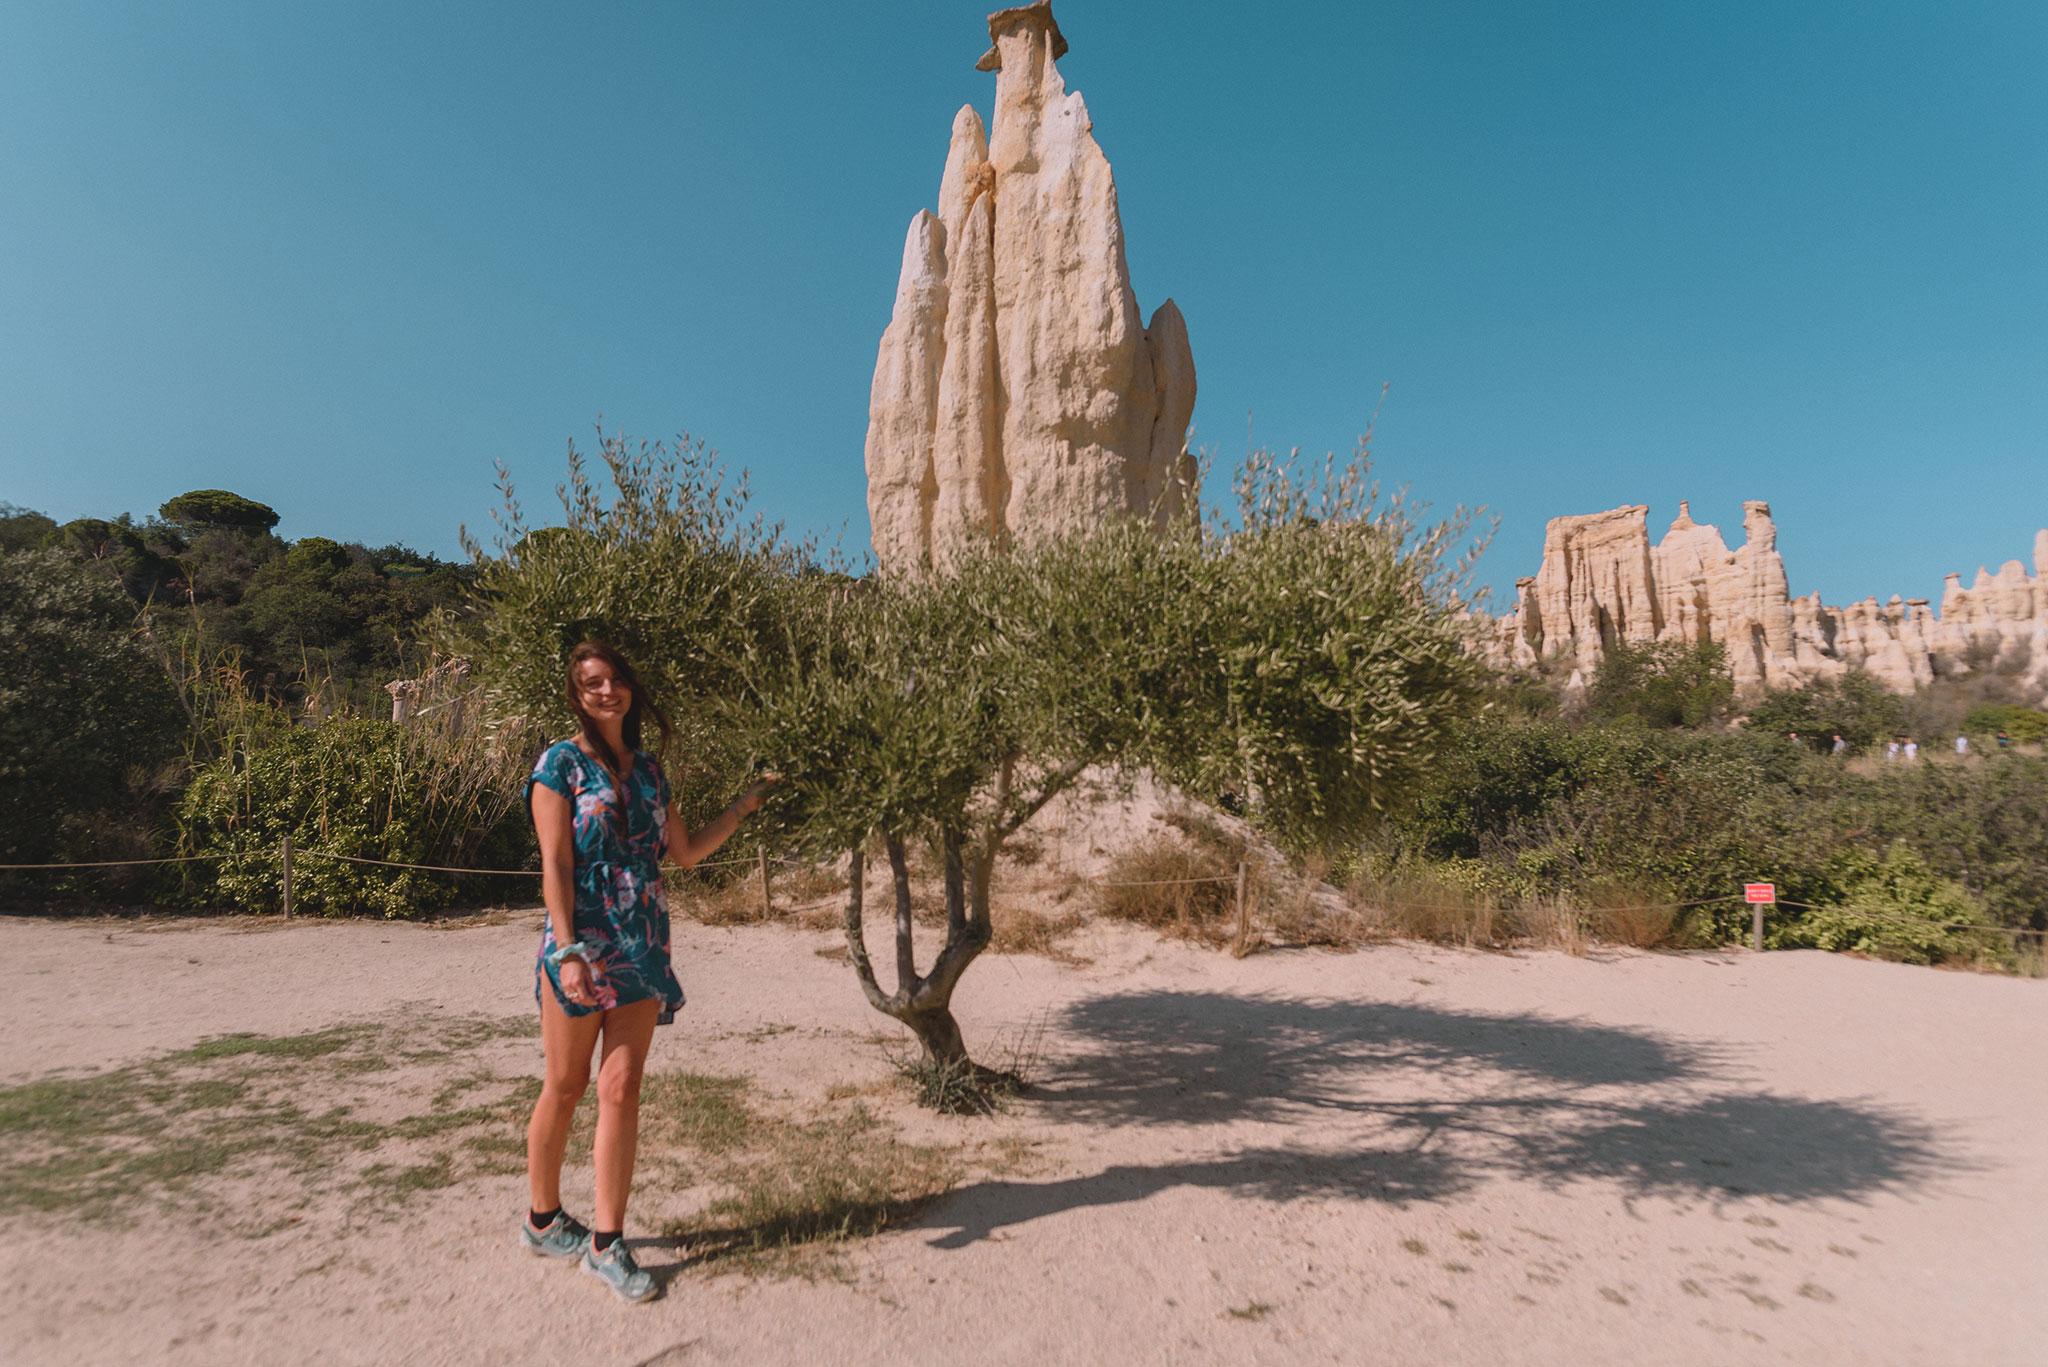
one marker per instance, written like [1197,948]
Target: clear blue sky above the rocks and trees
[343,257]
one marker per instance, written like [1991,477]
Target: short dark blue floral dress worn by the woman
[622,911]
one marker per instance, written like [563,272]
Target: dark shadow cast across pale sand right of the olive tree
[1422,1104]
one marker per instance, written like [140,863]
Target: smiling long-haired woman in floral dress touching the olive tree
[601,809]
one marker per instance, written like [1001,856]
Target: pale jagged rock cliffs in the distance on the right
[1603,583]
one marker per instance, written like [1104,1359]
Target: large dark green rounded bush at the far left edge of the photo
[87,716]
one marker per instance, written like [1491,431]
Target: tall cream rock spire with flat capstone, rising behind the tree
[1017,388]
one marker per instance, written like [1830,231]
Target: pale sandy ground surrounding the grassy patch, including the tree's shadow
[1402,1155]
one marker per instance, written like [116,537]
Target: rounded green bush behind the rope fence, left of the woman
[364,788]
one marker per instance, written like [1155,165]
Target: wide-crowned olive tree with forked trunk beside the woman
[1308,649]
